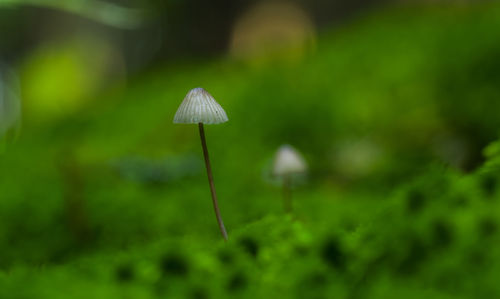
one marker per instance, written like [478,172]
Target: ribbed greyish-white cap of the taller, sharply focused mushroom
[199,107]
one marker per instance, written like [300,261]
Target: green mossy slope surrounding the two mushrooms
[110,200]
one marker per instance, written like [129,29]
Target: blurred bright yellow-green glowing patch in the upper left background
[82,64]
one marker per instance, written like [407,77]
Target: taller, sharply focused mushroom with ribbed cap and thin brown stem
[199,107]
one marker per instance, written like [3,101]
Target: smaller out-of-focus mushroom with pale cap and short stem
[288,163]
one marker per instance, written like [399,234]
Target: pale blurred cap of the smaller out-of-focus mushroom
[288,161]
